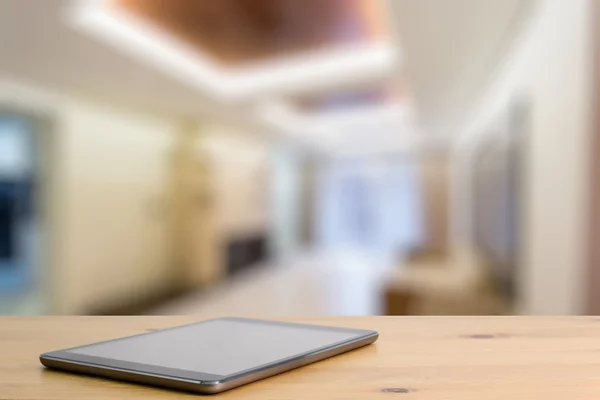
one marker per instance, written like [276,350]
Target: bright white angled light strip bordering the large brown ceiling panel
[355,64]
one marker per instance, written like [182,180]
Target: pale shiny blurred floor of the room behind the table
[344,283]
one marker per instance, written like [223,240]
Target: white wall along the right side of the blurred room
[551,67]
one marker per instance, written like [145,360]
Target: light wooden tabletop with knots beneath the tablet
[476,358]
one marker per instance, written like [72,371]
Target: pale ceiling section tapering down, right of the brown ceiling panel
[452,50]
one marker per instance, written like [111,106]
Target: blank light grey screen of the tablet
[221,346]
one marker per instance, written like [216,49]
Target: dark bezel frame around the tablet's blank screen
[196,376]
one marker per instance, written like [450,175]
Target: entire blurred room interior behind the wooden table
[299,157]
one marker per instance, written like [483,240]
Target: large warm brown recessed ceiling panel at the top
[239,31]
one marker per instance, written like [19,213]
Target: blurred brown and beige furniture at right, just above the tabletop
[437,283]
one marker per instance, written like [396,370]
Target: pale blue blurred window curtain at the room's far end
[369,205]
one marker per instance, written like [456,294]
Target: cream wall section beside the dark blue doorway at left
[108,200]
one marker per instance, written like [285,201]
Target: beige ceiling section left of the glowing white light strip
[36,45]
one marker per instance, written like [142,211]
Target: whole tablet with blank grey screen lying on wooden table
[210,356]
